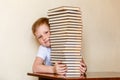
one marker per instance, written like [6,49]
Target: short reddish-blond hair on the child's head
[40,21]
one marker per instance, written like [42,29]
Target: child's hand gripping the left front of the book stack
[60,68]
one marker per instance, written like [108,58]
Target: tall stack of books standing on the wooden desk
[66,37]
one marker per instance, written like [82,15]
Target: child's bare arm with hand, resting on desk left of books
[58,68]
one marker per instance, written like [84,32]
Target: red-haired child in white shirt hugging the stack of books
[42,64]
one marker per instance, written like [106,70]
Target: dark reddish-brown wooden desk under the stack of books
[89,76]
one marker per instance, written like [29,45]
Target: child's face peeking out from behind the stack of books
[43,35]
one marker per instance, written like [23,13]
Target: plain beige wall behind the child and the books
[101,35]
